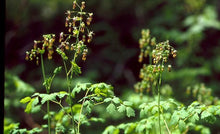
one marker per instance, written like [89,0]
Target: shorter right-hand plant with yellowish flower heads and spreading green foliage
[159,114]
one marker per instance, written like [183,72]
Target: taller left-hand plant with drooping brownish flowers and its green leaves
[71,45]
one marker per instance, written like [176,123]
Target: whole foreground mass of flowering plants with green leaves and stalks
[152,106]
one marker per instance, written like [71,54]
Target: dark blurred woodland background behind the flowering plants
[192,26]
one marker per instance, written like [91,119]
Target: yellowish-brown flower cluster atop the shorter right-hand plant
[159,54]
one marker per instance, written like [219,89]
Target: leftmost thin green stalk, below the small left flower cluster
[47,89]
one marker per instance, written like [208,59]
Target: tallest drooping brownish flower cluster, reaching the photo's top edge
[76,22]
